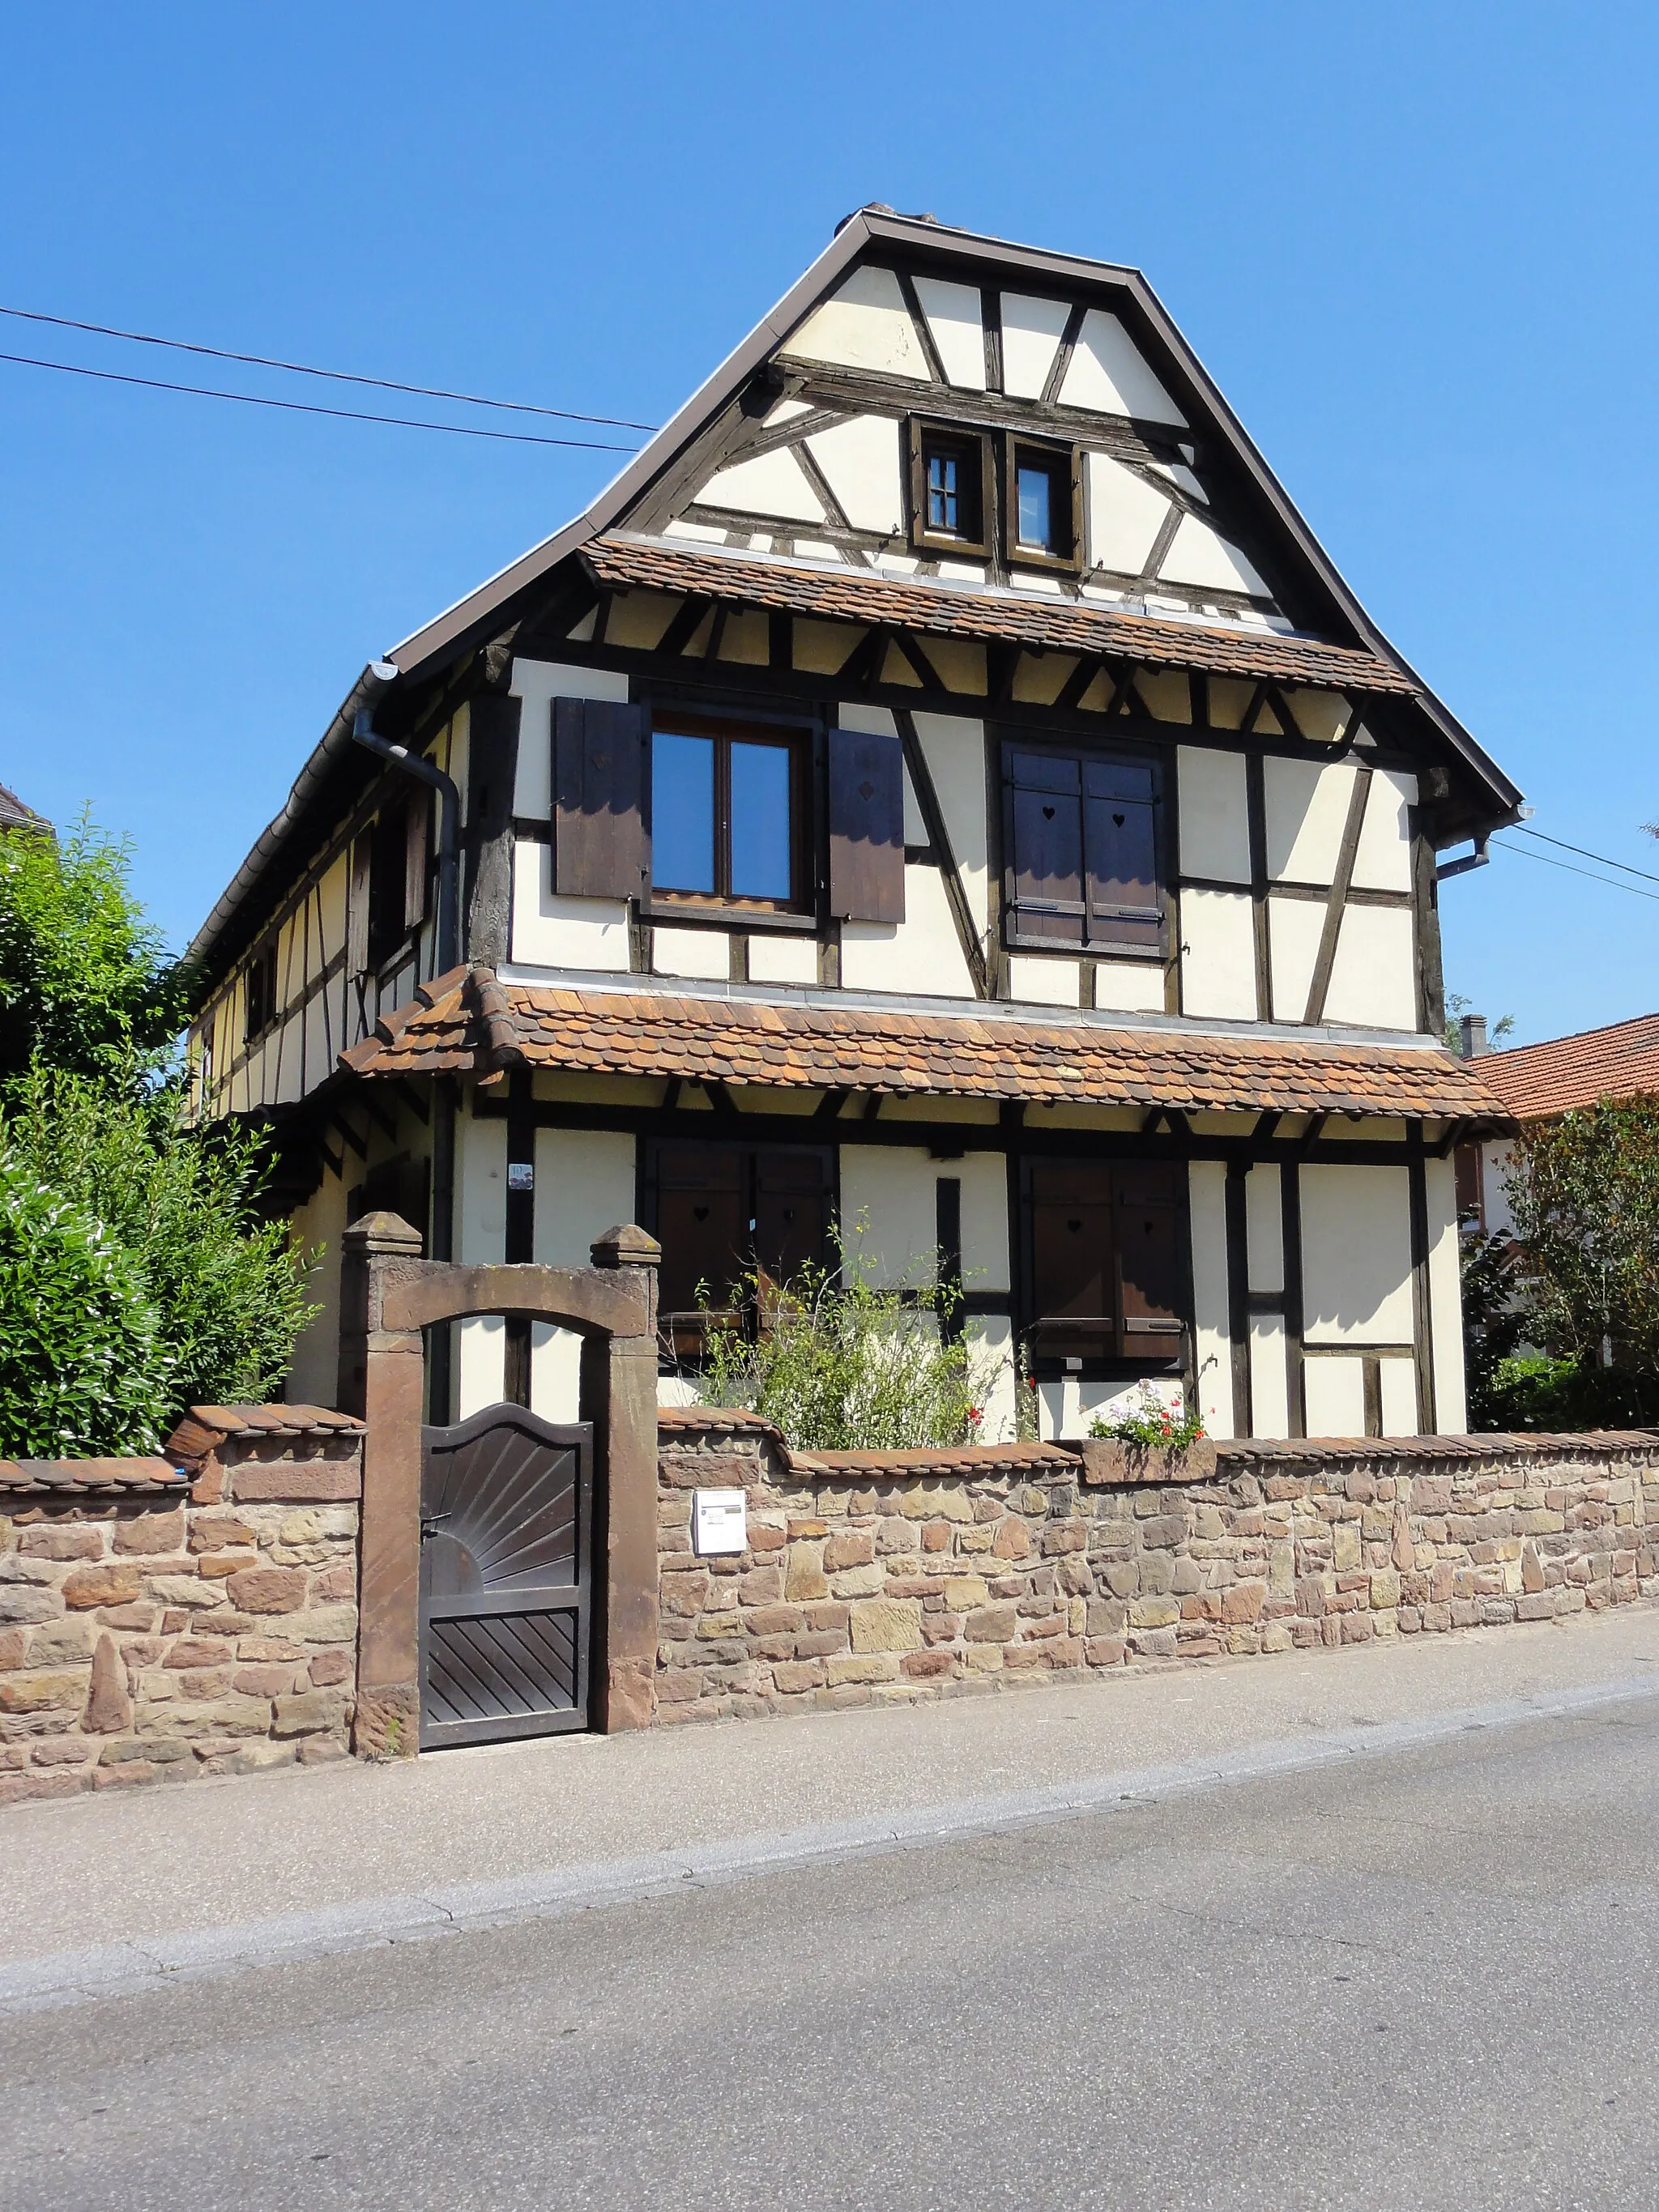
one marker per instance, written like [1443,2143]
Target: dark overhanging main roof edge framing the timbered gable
[337,773]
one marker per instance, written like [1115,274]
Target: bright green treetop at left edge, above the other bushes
[85,981]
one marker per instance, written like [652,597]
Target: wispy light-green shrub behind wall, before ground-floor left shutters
[842,1364]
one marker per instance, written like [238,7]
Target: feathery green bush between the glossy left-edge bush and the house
[227,1286]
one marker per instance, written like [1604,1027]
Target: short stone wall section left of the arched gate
[182,1616]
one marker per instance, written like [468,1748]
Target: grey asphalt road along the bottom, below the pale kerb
[1417,1979]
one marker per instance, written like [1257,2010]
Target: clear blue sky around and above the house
[1415,247]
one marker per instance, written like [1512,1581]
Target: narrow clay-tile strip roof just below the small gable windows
[1061,625]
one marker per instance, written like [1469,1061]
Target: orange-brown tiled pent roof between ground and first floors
[468,1021]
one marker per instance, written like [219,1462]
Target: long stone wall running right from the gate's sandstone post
[886,1578]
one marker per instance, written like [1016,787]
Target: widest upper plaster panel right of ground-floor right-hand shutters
[1357,1255]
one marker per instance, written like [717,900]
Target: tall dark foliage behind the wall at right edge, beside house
[1563,1317]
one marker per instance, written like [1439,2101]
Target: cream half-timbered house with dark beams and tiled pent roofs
[939,789]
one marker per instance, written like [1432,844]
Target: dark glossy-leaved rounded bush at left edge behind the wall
[83,1364]
